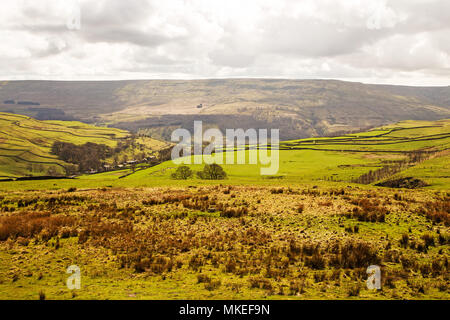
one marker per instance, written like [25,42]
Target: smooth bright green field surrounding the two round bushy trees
[296,167]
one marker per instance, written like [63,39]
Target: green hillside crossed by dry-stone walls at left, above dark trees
[25,144]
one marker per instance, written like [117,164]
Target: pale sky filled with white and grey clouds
[373,41]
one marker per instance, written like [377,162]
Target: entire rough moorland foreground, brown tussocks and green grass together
[224,242]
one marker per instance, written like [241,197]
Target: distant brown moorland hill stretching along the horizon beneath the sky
[300,108]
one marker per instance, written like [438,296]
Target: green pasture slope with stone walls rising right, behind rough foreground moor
[365,158]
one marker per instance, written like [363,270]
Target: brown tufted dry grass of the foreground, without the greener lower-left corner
[284,243]
